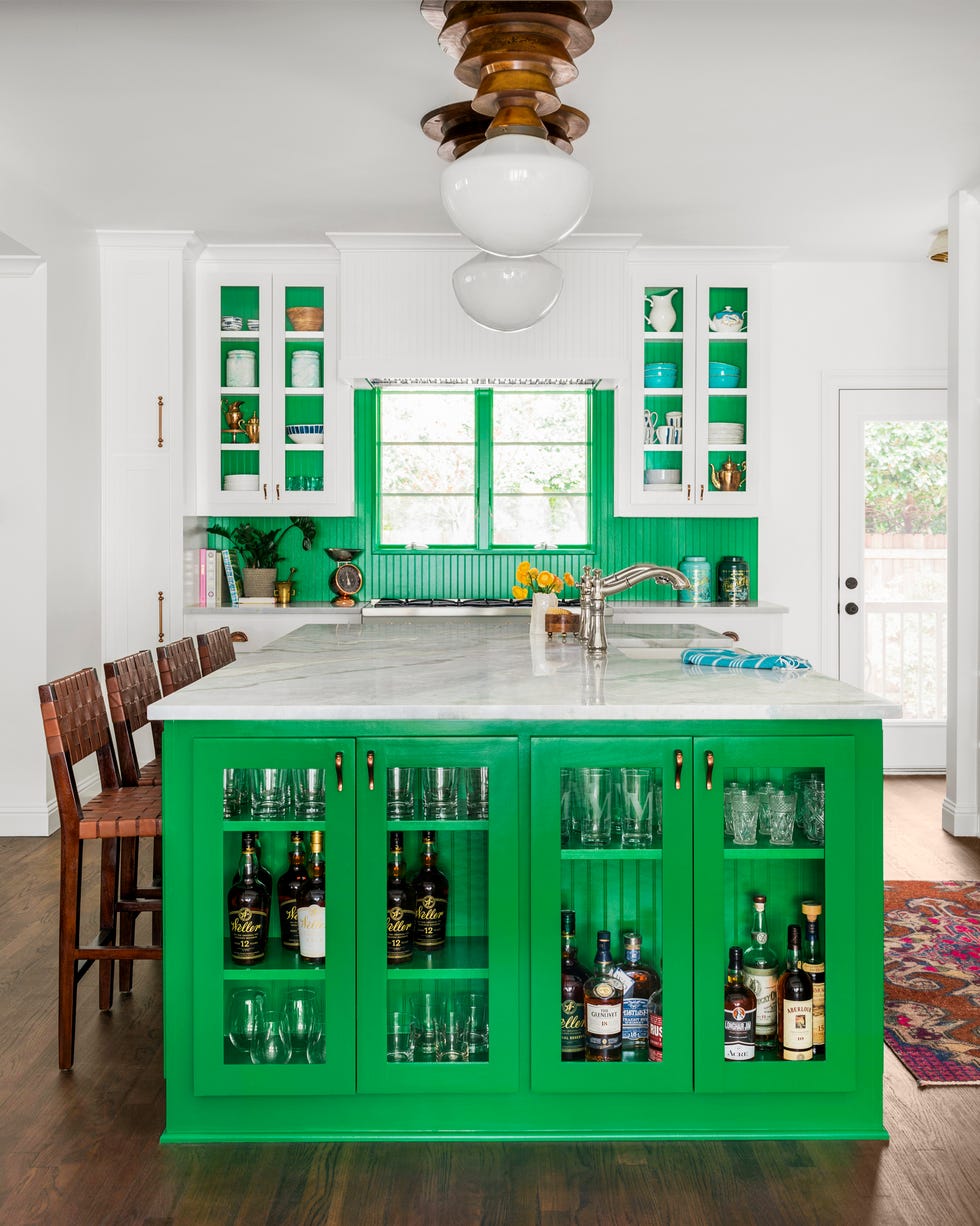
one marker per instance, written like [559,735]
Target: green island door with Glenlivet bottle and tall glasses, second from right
[611,843]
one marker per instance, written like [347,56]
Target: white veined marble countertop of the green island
[479,670]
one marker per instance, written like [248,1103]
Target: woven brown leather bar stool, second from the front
[132,685]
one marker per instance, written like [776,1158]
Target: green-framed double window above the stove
[458,458]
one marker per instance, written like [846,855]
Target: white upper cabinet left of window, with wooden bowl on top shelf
[275,424]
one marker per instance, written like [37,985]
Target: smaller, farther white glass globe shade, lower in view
[507,294]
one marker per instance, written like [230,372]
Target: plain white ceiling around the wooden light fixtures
[835,129]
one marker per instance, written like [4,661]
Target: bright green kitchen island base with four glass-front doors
[510,876]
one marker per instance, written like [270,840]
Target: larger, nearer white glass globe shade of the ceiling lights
[516,196]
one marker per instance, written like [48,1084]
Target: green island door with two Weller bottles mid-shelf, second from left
[438,952]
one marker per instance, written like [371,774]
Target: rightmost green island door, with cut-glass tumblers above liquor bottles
[776,818]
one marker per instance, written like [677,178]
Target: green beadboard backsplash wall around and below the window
[467,574]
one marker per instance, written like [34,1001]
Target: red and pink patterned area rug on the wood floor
[933,980]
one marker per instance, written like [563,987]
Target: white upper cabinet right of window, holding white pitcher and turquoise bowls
[690,428]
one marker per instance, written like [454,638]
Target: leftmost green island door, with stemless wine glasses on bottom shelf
[268,1018]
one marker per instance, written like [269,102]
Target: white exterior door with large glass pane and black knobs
[892,556]
